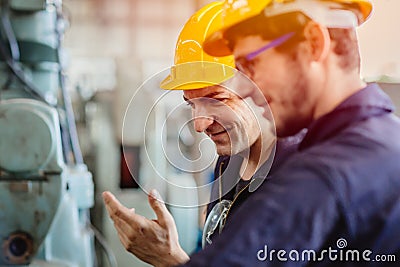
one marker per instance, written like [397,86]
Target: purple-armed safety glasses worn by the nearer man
[245,64]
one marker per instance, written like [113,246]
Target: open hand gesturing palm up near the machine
[153,241]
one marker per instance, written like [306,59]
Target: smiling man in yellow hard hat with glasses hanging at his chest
[244,140]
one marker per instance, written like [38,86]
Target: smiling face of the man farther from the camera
[226,118]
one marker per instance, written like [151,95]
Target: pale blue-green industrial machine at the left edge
[45,188]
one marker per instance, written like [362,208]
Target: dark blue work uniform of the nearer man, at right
[339,193]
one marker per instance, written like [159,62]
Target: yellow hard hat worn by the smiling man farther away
[194,68]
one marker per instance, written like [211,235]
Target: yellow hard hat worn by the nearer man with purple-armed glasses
[236,11]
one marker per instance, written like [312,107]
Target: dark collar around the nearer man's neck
[369,102]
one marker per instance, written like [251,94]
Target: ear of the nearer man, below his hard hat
[318,39]
